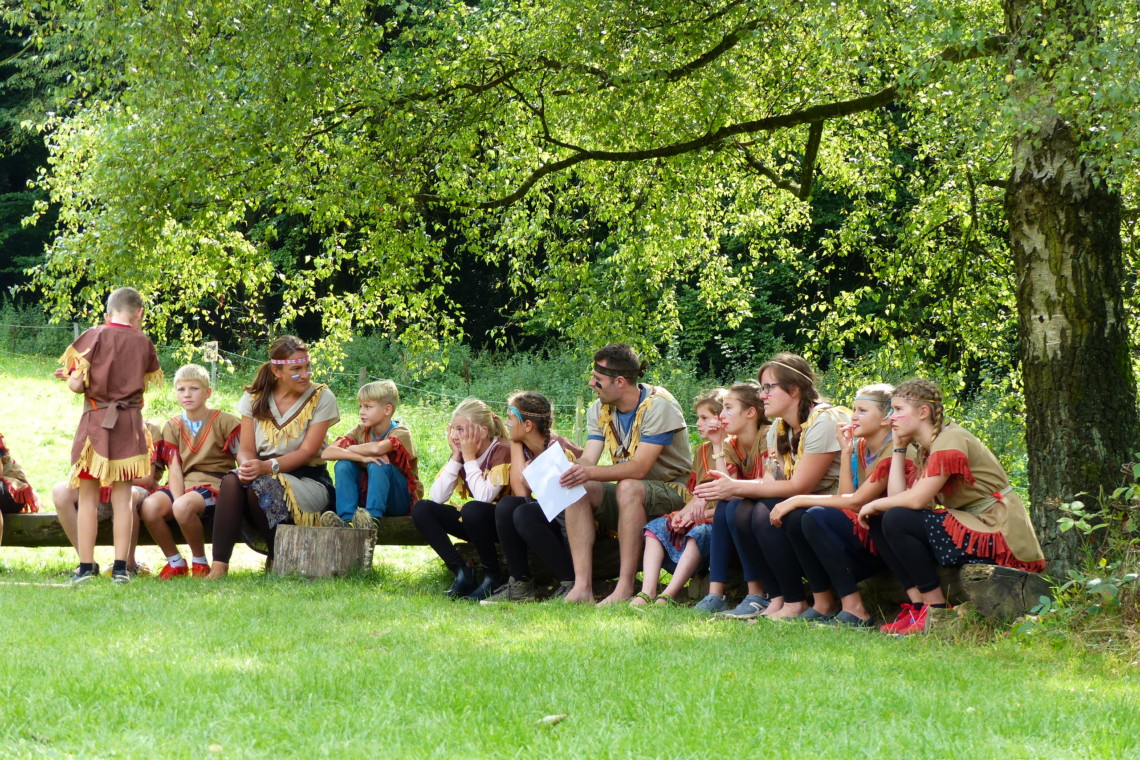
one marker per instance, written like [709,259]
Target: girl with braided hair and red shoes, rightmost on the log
[960,511]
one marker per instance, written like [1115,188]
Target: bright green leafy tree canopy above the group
[601,152]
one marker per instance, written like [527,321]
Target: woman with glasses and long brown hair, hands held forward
[803,459]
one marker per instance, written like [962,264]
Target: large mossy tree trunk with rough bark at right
[1065,235]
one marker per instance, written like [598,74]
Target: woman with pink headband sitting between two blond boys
[281,477]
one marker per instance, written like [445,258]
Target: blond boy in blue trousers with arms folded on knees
[377,464]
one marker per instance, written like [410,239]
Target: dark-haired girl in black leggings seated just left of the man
[519,520]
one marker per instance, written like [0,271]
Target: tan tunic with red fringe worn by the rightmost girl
[979,517]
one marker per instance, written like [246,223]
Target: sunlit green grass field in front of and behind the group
[382,666]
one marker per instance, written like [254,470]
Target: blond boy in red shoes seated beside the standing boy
[199,447]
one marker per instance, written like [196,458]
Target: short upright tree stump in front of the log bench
[322,552]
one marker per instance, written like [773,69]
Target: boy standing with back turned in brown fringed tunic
[111,365]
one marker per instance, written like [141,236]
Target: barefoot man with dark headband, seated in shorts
[644,430]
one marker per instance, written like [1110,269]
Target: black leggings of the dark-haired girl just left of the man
[523,528]
